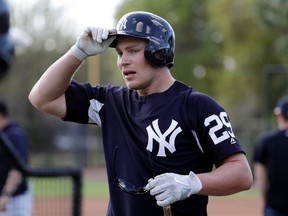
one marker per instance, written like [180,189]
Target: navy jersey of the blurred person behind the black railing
[19,141]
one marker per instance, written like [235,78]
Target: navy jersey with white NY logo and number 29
[180,128]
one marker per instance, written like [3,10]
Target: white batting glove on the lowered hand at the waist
[170,187]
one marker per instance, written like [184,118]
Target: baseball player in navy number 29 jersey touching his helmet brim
[161,138]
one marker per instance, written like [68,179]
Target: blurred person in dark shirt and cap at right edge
[271,170]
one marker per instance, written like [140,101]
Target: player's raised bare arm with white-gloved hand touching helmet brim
[48,94]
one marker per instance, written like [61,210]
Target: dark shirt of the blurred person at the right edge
[272,151]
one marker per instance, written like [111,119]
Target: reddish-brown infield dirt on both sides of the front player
[218,206]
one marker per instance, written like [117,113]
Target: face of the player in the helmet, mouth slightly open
[136,71]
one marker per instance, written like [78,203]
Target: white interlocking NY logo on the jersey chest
[154,133]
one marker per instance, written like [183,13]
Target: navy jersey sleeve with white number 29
[213,127]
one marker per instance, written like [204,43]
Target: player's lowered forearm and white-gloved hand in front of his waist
[232,176]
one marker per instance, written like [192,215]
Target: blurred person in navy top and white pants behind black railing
[16,196]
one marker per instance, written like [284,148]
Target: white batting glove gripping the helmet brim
[92,41]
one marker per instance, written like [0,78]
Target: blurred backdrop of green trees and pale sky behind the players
[235,51]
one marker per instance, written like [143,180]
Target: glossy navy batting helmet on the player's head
[158,32]
